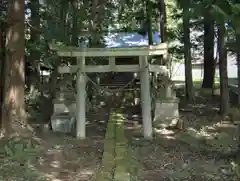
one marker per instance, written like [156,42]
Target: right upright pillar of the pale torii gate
[145,97]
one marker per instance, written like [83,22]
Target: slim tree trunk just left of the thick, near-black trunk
[187,55]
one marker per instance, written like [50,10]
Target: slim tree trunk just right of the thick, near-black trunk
[224,102]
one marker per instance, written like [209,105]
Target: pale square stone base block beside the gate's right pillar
[166,111]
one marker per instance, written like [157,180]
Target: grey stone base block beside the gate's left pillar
[63,123]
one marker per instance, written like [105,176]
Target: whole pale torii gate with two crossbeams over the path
[143,67]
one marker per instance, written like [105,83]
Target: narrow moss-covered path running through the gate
[115,157]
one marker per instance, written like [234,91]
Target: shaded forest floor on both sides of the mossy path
[187,155]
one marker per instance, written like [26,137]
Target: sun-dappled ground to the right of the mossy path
[193,153]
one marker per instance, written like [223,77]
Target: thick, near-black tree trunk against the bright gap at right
[209,61]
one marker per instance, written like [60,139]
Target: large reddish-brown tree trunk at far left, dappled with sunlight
[14,116]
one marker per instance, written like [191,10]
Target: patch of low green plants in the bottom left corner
[16,158]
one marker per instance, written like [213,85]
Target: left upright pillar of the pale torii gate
[81,100]
